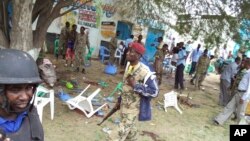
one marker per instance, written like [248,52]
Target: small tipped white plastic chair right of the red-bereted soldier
[170,100]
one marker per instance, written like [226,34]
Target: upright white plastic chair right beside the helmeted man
[41,101]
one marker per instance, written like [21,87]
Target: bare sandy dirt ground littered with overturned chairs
[195,124]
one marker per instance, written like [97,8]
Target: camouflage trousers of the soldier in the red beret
[126,131]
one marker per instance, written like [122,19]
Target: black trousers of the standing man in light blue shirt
[179,74]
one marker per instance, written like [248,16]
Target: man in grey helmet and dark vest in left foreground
[18,80]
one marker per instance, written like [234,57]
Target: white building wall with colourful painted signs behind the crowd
[92,16]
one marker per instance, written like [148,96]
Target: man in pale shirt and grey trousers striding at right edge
[239,101]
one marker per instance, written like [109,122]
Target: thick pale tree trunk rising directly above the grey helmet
[21,34]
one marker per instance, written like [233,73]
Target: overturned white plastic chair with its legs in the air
[84,103]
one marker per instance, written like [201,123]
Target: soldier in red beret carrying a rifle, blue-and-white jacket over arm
[139,87]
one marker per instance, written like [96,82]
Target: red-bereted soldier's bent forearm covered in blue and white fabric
[149,89]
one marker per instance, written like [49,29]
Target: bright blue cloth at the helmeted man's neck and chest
[11,126]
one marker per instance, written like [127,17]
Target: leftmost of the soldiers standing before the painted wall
[63,40]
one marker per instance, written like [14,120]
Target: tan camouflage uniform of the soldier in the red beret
[130,106]
